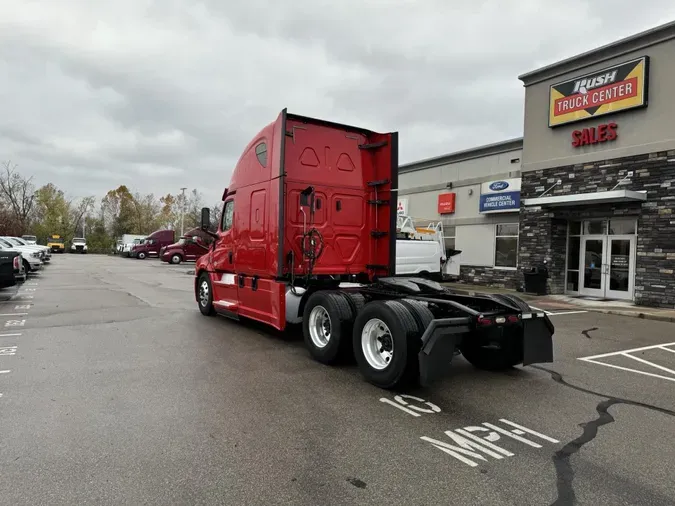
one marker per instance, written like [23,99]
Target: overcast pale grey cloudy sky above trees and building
[160,94]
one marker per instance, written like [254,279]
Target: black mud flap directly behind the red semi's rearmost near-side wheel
[439,342]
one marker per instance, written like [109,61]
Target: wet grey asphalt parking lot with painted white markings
[116,390]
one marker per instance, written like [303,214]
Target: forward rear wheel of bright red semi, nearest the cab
[327,320]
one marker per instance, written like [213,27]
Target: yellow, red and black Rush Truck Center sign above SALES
[617,88]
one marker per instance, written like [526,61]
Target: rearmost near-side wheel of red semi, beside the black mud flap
[386,341]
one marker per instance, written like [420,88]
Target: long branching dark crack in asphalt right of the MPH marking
[561,458]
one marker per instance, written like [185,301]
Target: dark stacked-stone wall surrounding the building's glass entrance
[543,232]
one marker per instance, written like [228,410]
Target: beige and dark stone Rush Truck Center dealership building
[595,179]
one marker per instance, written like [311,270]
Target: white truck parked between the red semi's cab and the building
[421,250]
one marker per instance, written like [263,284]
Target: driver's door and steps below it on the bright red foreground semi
[224,280]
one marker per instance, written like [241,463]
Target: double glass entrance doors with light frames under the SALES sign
[608,267]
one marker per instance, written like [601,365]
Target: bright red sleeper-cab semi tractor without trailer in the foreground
[308,235]
